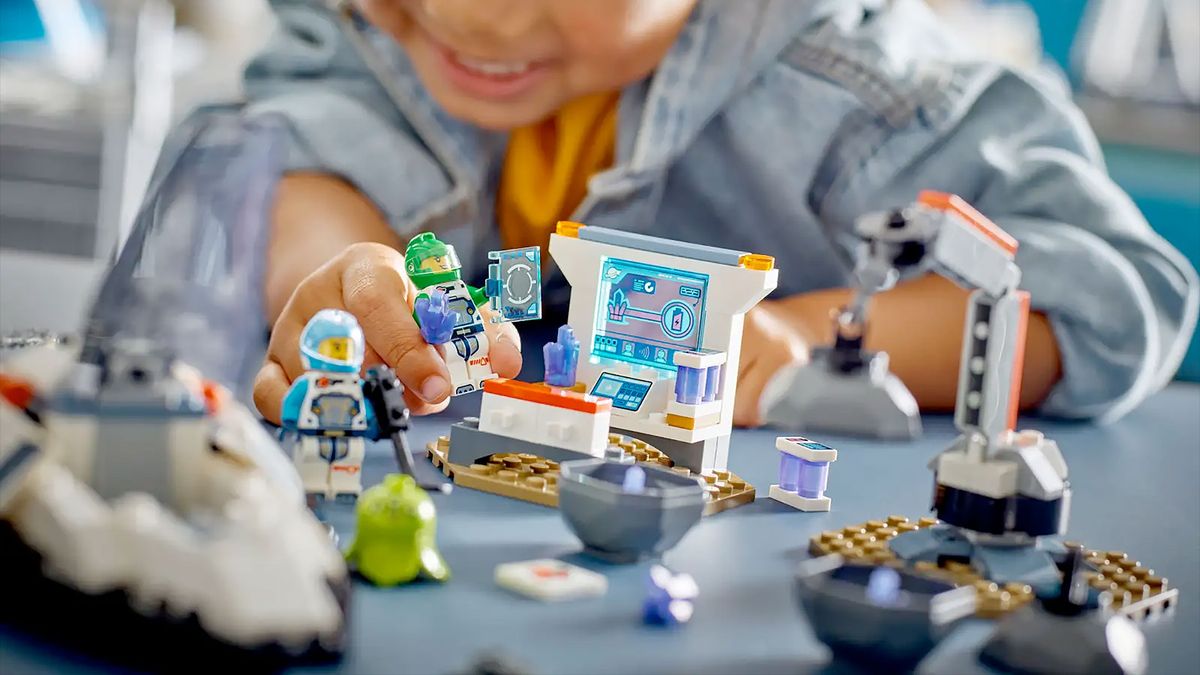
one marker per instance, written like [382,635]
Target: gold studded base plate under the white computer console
[532,479]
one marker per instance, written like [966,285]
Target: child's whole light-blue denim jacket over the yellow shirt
[770,128]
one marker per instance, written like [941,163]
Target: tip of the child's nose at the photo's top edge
[488,21]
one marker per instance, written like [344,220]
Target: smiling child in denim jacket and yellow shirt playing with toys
[755,126]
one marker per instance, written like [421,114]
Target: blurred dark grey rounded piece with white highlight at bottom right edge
[1034,641]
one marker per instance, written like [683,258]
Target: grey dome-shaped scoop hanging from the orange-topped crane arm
[869,402]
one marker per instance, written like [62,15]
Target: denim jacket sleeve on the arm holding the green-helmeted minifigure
[341,121]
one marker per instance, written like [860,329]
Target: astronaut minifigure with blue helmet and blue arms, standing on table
[326,407]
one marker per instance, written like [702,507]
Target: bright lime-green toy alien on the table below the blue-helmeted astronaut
[394,542]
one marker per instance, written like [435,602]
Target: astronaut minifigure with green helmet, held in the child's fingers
[448,310]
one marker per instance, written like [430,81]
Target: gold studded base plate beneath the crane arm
[1135,592]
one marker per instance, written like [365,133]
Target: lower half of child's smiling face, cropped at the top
[502,64]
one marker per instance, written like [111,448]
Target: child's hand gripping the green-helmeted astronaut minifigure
[369,282]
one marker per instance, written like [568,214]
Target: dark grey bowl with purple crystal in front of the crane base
[835,598]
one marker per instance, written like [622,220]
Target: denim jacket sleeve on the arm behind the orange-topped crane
[1121,301]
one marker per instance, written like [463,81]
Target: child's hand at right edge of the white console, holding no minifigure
[772,341]
